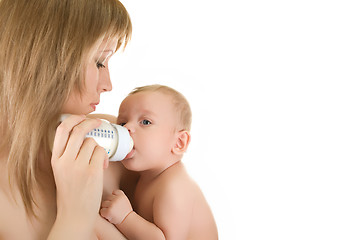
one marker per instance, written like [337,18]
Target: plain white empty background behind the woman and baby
[273,87]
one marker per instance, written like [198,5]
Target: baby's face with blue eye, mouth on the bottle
[152,120]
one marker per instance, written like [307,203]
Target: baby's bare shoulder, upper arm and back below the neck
[180,209]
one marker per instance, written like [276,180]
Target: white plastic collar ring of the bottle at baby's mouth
[124,145]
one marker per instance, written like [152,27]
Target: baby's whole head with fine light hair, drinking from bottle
[159,120]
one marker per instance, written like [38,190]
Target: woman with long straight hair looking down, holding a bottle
[53,60]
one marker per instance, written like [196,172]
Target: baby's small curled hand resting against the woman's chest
[116,209]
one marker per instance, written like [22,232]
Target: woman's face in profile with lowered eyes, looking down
[97,81]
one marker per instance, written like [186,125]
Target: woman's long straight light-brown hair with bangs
[45,45]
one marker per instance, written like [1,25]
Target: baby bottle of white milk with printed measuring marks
[115,139]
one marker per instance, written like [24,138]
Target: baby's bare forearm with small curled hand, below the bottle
[118,210]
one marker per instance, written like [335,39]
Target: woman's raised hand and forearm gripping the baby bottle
[78,165]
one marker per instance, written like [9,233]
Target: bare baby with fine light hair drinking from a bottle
[167,203]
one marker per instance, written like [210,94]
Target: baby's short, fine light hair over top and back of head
[179,101]
